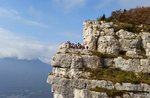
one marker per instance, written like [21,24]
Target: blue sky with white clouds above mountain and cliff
[33,29]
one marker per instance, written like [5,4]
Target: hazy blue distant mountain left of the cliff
[24,79]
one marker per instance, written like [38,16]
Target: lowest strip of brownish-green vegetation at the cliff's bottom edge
[114,92]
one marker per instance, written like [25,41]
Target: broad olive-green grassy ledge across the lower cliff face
[117,75]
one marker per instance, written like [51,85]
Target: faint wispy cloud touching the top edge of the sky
[69,4]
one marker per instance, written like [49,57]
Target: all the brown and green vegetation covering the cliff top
[133,20]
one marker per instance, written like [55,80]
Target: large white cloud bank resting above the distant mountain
[12,45]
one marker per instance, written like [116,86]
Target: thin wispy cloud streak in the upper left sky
[15,15]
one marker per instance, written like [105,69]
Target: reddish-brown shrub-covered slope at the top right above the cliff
[137,16]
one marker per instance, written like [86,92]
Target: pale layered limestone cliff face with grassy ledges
[109,64]
